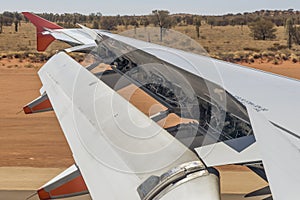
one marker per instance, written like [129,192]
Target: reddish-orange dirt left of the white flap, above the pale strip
[28,140]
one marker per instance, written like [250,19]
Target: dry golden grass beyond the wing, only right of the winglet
[234,43]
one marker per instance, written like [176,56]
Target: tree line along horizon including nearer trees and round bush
[261,23]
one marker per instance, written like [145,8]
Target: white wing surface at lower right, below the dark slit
[280,157]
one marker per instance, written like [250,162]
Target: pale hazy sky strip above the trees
[139,7]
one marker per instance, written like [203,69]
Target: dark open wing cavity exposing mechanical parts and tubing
[216,119]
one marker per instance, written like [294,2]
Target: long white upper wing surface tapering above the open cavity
[274,95]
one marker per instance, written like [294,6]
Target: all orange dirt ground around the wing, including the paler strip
[34,146]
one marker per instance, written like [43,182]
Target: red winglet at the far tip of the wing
[43,41]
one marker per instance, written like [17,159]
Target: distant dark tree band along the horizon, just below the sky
[278,17]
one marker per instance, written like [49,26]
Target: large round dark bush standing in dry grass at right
[262,29]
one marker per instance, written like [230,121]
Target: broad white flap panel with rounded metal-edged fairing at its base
[115,146]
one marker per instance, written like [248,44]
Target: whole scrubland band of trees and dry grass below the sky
[262,36]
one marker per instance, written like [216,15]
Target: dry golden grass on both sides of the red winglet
[232,43]
